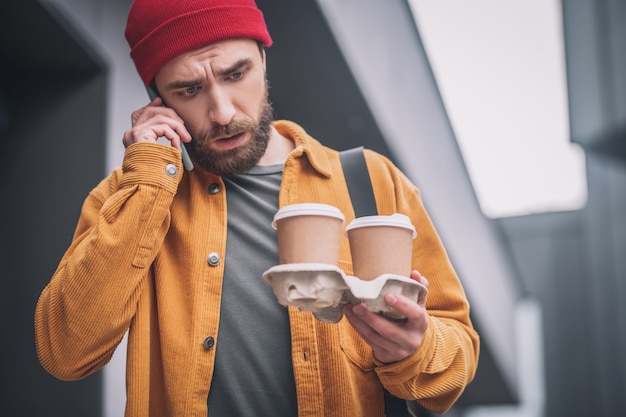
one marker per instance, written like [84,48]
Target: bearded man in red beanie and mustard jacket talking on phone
[175,256]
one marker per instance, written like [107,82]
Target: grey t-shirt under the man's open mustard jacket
[253,370]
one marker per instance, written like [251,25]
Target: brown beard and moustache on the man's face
[240,159]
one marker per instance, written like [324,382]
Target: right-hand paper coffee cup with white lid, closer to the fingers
[381,245]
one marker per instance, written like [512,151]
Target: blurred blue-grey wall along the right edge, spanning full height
[575,263]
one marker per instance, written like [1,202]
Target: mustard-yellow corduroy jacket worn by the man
[138,263]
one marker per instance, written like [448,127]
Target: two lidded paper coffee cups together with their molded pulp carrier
[308,277]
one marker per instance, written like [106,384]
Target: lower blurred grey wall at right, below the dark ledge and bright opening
[574,263]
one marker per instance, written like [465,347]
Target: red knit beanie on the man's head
[160,30]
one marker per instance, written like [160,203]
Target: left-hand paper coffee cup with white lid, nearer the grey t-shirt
[308,233]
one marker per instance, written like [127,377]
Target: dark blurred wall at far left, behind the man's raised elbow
[53,89]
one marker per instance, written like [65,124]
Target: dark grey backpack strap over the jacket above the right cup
[359,182]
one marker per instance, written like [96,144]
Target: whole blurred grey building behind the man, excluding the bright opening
[548,289]
